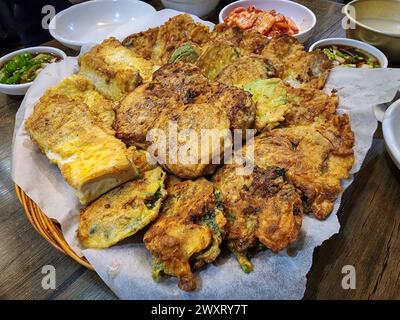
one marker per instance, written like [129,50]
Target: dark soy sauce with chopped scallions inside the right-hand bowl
[350,57]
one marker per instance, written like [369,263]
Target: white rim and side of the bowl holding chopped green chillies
[20,89]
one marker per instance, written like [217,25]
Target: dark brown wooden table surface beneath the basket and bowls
[369,238]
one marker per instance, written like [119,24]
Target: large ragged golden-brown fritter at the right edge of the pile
[316,158]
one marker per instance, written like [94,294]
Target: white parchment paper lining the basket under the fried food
[126,268]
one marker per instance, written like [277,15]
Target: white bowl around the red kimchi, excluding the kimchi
[303,17]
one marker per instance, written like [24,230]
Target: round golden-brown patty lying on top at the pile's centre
[192,157]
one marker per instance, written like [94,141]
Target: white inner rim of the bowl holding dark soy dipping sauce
[353,43]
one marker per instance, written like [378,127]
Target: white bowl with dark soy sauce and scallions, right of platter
[351,53]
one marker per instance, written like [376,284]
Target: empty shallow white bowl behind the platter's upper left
[92,21]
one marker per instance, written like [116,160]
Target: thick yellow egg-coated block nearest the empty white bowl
[113,69]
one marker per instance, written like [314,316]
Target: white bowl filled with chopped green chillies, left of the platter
[19,69]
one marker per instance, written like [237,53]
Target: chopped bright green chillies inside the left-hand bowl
[24,68]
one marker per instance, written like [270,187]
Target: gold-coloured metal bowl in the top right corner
[376,22]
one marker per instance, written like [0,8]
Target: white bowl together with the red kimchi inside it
[271,18]
